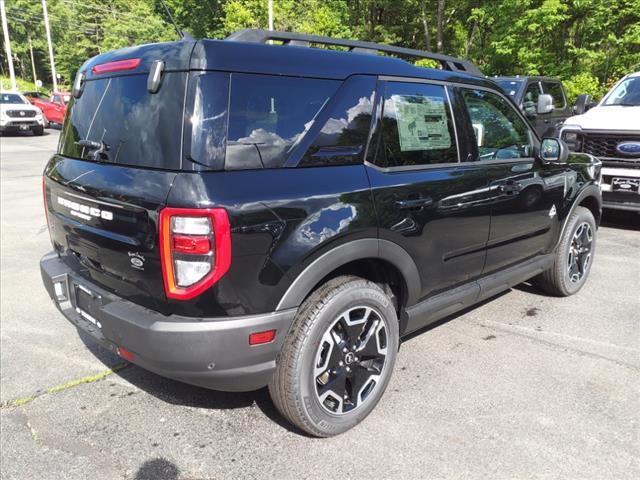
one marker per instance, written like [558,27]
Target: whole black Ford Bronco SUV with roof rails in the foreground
[235,214]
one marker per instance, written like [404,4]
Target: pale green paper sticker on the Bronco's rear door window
[422,123]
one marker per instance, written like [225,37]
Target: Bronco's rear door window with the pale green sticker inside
[417,128]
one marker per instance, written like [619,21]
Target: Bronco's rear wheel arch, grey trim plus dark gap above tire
[371,258]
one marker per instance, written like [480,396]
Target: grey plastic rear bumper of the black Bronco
[209,352]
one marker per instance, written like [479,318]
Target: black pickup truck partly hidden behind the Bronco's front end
[542,99]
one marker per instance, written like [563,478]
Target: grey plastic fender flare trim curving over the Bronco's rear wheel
[348,252]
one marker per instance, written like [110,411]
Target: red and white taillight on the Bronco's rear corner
[195,249]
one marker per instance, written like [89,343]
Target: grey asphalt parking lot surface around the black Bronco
[523,386]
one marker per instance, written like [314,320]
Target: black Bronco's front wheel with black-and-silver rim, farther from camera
[573,257]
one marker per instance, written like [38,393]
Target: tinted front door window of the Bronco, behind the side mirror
[500,132]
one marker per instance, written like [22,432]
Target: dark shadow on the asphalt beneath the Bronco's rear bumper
[182,394]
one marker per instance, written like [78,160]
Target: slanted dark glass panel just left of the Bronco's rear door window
[346,127]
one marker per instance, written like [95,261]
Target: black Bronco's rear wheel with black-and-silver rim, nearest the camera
[338,357]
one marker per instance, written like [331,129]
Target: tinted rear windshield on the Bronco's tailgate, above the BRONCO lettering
[136,127]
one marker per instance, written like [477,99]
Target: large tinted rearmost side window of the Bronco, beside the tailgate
[268,115]
